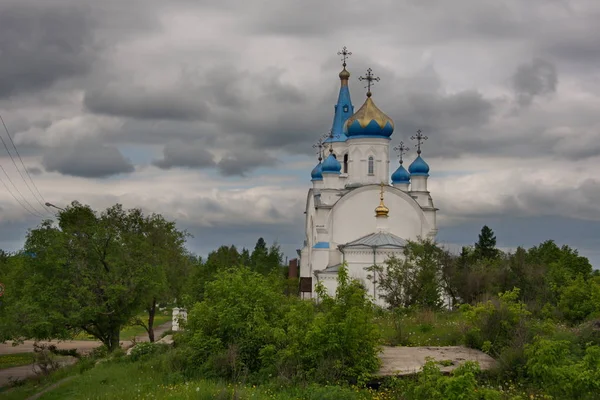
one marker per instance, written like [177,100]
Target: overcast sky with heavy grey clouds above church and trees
[205,111]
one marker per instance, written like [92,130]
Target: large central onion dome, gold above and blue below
[369,121]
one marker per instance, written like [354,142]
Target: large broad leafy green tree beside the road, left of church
[91,273]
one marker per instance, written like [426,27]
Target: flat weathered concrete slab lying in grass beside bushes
[398,361]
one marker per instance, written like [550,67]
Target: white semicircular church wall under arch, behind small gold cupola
[353,216]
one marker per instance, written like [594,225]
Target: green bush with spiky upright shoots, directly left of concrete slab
[340,341]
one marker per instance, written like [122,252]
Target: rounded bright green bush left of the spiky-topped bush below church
[241,314]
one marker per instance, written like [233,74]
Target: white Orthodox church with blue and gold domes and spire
[357,212]
